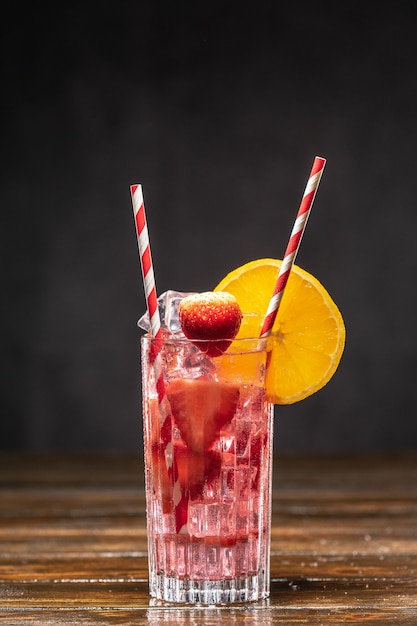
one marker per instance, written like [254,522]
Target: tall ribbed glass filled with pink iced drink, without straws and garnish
[208,465]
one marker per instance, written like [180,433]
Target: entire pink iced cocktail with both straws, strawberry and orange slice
[208,415]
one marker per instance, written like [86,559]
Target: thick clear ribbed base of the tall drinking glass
[248,589]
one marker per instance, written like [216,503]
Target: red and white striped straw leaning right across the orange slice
[293,244]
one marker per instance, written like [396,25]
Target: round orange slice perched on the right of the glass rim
[308,335]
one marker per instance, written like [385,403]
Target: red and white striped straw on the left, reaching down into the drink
[180,501]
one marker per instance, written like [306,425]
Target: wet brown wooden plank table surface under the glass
[73,544]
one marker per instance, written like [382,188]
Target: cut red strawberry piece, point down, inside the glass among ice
[201,408]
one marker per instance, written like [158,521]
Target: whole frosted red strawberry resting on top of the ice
[210,320]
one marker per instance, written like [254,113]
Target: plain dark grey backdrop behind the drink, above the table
[218,110]
